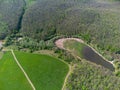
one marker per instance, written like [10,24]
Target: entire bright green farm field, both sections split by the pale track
[45,72]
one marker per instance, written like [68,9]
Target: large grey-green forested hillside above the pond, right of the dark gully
[97,21]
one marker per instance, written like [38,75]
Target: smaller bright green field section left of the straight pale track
[11,77]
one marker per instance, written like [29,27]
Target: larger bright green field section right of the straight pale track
[45,72]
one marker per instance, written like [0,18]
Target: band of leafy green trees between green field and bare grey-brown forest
[34,45]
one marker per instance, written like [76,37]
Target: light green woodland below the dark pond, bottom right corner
[87,76]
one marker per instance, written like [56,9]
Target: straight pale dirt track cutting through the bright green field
[33,87]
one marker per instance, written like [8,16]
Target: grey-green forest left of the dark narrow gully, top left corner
[10,16]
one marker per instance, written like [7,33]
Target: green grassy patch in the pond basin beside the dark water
[74,46]
